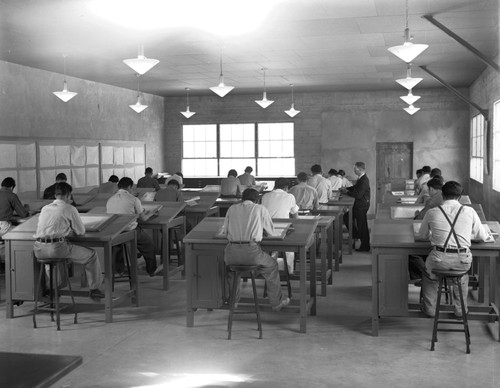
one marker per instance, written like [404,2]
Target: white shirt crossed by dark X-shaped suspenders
[437,227]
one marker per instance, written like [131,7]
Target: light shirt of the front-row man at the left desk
[59,219]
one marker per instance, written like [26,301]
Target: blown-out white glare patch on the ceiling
[223,17]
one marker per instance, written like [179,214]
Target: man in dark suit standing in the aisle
[361,193]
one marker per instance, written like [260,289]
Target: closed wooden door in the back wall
[394,167]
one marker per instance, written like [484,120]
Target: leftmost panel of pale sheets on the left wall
[18,161]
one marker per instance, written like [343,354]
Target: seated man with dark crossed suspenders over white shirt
[450,227]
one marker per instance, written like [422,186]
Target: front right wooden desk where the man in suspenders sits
[392,242]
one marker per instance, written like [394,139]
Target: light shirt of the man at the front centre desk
[246,221]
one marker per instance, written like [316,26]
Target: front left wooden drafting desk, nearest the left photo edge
[21,268]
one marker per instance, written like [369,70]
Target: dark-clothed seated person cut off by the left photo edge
[10,203]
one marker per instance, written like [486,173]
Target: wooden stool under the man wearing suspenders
[454,277]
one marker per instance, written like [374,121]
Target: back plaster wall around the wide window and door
[337,129]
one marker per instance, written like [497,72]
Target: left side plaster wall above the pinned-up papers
[28,109]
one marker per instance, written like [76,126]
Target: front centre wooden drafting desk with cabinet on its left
[206,271]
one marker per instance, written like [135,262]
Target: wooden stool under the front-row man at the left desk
[53,306]
